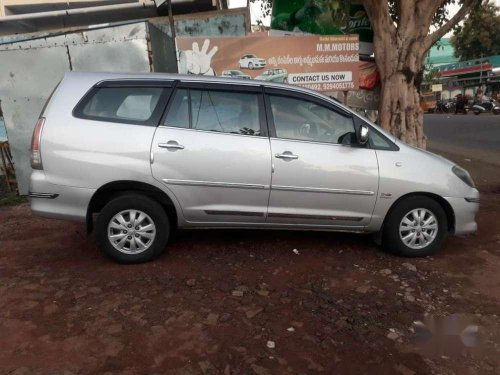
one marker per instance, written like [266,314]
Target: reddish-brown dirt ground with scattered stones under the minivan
[214,302]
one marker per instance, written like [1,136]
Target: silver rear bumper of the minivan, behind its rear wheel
[57,201]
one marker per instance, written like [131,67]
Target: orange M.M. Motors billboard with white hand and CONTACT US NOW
[321,63]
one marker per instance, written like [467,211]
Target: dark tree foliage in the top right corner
[479,34]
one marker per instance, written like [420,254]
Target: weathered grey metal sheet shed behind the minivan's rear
[31,68]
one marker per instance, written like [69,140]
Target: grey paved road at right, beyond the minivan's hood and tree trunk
[473,136]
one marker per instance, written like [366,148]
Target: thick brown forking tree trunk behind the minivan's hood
[400,47]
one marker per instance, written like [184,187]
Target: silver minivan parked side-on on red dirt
[138,155]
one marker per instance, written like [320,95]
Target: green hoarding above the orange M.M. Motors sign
[323,17]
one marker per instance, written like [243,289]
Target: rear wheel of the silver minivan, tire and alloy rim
[150,229]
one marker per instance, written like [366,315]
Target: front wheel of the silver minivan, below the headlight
[402,226]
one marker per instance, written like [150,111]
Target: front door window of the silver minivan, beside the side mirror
[308,121]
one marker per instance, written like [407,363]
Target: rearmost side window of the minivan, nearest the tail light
[132,105]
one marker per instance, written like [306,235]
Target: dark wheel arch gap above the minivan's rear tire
[113,189]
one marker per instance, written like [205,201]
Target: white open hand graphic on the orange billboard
[198,61]
